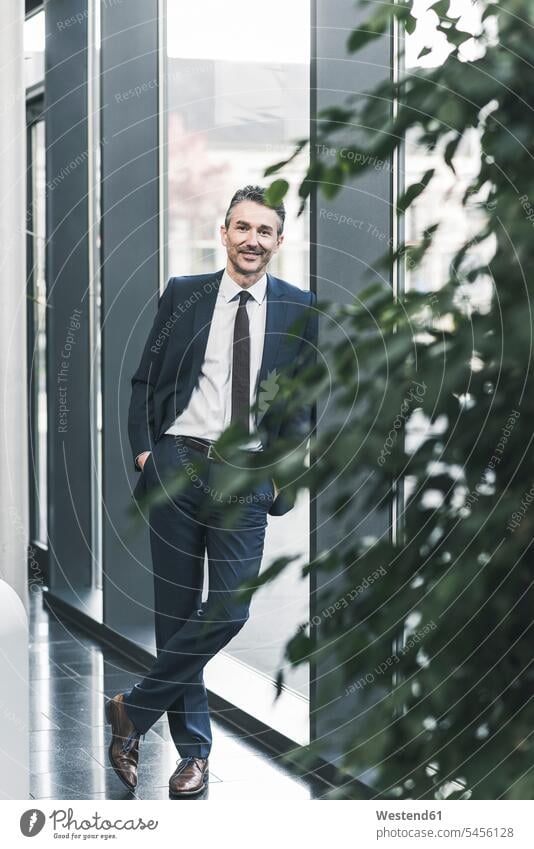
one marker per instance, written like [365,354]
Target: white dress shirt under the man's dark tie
[209,409]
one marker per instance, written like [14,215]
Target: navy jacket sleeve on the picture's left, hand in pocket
[141,410]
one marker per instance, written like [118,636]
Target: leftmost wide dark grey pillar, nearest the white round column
[69,458]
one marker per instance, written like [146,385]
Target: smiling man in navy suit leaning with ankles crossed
[216,340]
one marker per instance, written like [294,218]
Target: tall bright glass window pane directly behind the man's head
[237,97]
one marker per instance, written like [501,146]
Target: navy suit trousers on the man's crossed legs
[184,525]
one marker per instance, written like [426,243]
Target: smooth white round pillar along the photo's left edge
[13,400]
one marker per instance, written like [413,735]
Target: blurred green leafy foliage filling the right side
[442,641]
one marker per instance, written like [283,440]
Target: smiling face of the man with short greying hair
[251,238]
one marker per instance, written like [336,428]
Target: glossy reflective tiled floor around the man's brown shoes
[70,674]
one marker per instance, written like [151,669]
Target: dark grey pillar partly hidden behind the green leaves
[342,255]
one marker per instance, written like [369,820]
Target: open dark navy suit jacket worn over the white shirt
[173,355]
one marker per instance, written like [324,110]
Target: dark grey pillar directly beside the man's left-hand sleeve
[130,275]
